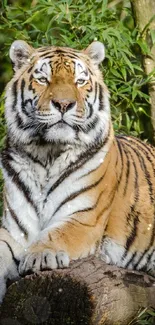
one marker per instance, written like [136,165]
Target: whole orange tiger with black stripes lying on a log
[71,187]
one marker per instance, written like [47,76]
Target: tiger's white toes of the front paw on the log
[40,261]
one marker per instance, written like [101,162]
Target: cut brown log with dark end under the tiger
[88,293]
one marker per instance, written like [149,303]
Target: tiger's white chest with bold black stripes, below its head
[44,194]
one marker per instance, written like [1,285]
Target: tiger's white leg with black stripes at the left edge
[10,251]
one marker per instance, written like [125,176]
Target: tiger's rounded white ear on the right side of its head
[96,52]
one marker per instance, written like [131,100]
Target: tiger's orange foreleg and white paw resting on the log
[70,240]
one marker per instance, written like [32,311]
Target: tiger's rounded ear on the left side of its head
[19,53]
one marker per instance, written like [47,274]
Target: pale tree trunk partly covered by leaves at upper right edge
[143,11]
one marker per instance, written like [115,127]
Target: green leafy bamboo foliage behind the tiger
[76,23]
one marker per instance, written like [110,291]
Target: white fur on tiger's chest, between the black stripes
[52,206]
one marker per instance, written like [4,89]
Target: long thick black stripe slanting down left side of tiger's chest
[6,159]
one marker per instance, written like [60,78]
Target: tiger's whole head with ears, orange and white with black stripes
[57,95]
